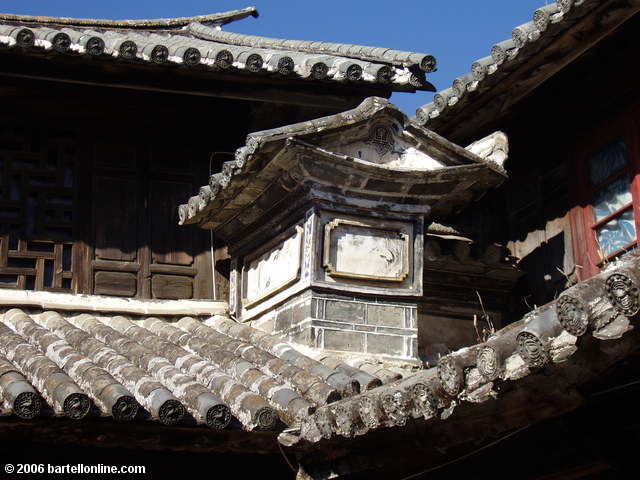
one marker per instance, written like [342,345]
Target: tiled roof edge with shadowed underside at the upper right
[546,31]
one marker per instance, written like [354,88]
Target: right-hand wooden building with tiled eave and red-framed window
[568,207]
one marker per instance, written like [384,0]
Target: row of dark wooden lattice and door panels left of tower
[92,216]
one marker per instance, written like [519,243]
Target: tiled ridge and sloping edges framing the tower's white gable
[205,207]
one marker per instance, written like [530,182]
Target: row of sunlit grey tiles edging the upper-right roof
[526,39]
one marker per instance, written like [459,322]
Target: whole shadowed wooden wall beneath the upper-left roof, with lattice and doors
[90,179]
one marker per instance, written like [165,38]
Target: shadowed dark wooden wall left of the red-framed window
[547,132]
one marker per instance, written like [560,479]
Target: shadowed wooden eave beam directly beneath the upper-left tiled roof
[180,81]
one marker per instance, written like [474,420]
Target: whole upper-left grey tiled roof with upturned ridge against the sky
[198,42]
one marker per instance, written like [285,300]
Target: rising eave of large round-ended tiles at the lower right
[602,307]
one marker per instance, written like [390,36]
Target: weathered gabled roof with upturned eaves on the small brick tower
[296,149]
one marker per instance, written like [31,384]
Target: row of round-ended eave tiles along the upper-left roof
[179,47]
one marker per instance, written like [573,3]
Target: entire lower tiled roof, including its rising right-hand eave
[192,372]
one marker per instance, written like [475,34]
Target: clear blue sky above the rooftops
[456,31]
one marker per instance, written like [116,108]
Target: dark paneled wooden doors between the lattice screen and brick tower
[139,250]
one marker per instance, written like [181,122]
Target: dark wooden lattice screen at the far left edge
[37,171]
